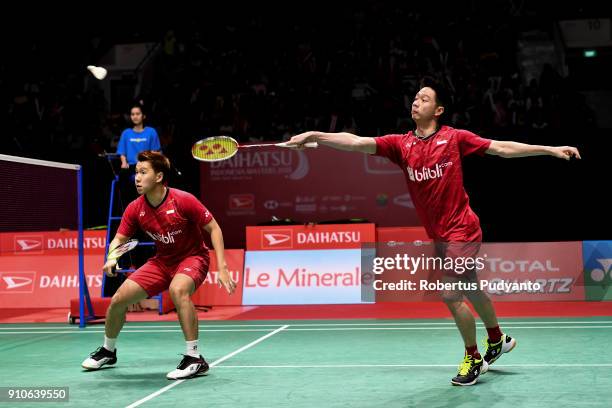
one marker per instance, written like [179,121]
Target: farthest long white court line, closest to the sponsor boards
[448,323]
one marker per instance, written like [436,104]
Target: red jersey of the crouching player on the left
[175,225]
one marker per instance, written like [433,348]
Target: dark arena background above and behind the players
[270,71]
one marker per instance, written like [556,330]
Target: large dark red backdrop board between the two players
[308,186]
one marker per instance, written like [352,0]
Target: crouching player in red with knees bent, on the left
[176,221]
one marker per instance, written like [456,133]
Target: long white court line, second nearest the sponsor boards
[301,329]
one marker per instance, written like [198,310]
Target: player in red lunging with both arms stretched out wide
[430,157]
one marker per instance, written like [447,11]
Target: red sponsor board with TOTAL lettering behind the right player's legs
[530,271]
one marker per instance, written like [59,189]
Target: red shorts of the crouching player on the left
[155,275]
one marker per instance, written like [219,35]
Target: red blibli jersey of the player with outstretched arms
[434,175]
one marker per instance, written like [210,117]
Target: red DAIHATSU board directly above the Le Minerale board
[296,237]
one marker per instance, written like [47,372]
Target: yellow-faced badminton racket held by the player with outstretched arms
[219,148]
